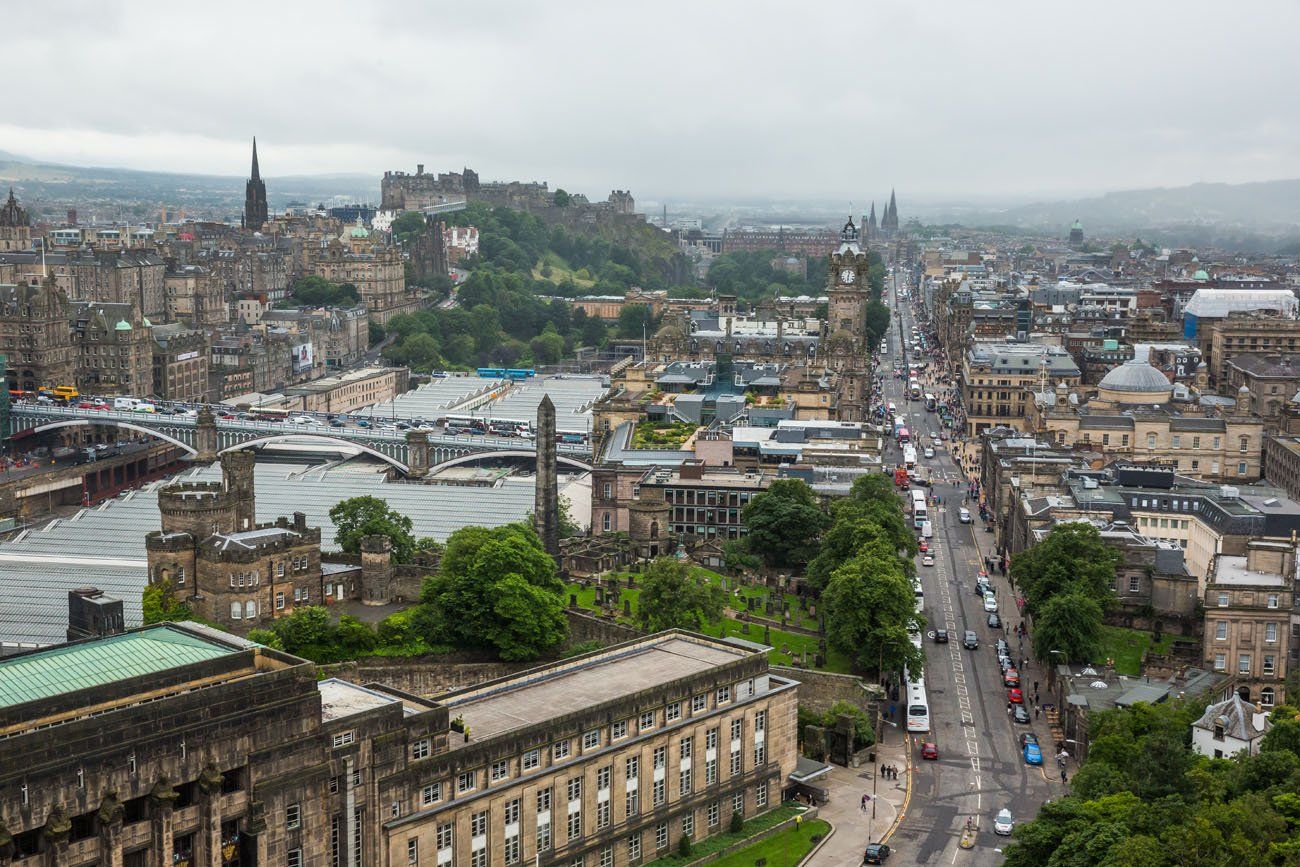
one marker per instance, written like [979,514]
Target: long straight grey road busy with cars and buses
[981,769]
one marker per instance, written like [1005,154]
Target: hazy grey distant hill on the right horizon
[1271,207]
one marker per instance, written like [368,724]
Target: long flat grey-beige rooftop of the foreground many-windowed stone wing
[505,708]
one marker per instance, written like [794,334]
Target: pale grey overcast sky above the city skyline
[703,99]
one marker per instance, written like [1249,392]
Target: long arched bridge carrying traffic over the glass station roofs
[413,453]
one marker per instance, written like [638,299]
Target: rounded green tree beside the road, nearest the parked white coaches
[872,613]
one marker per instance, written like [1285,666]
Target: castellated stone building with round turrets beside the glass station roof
[244,575]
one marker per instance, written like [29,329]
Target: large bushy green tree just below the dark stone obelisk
[496,588]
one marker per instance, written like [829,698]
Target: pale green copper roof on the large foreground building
[68,669]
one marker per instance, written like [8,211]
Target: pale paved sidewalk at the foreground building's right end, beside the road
[844,810]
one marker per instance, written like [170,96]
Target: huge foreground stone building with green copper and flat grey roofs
[177,744]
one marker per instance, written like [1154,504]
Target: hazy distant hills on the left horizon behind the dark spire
[49,187]
